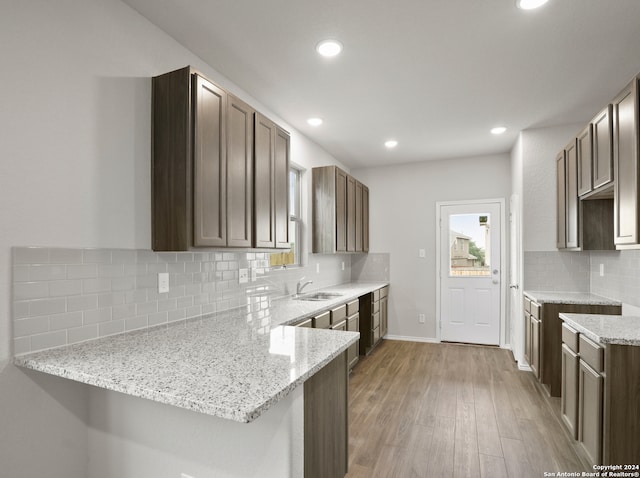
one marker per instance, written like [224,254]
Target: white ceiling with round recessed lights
[434,74]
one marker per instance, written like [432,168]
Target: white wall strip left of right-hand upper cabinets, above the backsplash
[539,149]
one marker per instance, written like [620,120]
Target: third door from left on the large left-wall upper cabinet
[264,201]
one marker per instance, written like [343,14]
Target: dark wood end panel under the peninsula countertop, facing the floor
[326,418]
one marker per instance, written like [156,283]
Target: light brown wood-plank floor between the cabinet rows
[448,410]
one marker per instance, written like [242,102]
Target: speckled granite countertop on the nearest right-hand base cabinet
[606,329]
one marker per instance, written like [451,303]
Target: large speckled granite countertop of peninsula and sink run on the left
[233,365]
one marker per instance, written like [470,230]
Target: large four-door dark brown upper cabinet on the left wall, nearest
[206,178]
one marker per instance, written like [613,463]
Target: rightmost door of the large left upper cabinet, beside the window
[281,185]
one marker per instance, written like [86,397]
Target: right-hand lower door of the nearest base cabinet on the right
[590,412]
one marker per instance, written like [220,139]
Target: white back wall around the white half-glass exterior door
[402,204]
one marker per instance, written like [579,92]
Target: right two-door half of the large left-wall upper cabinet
[271,205]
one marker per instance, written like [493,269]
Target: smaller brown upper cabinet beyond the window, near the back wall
[340,212]
